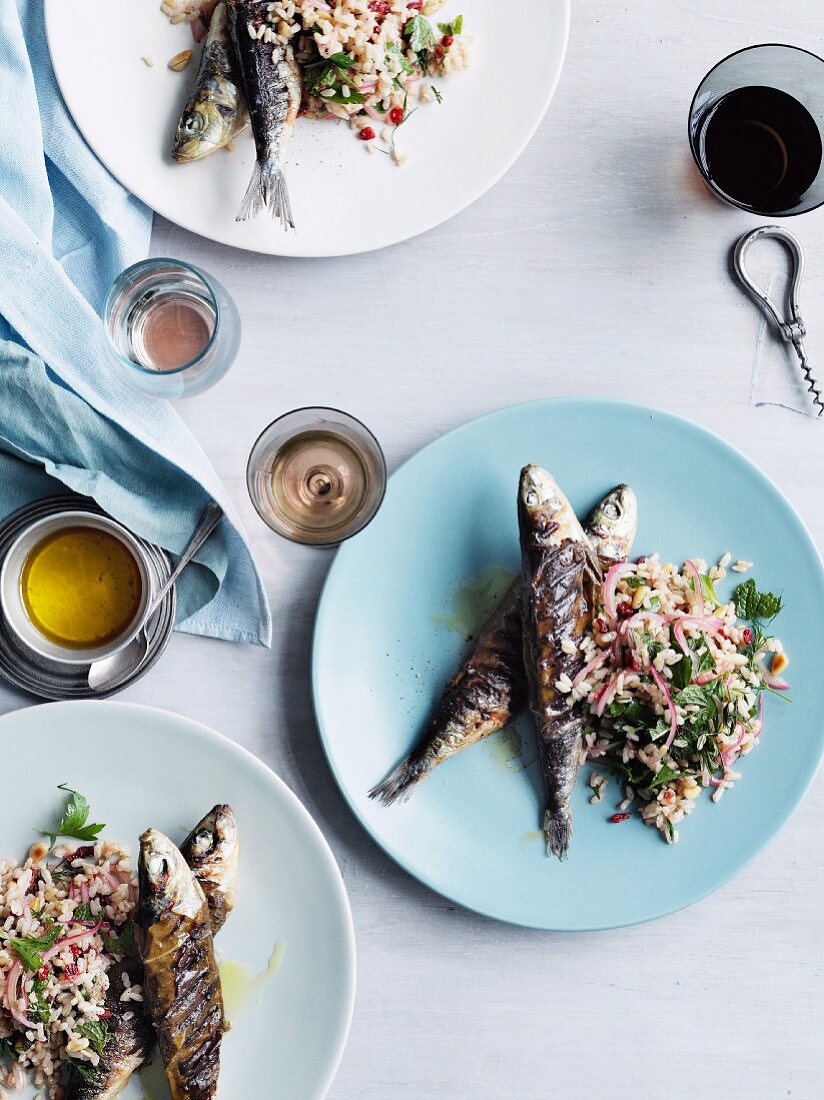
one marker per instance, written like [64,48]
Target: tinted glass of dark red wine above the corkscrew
[756,127]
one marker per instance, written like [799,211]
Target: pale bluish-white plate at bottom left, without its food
[141,767]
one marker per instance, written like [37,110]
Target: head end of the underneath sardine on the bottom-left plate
[212,851]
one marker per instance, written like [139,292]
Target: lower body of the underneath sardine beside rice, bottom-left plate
[131,1039]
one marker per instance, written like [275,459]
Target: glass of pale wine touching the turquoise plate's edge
[316,476]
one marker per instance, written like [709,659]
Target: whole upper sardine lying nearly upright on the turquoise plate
[557,559]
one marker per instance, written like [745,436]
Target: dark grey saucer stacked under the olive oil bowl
[47,679]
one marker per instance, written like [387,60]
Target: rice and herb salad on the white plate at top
[370,63]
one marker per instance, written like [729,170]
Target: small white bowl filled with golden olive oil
[75,587]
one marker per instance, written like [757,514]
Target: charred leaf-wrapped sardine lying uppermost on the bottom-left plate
[182,985]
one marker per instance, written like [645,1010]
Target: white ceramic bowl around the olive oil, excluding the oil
[12,598]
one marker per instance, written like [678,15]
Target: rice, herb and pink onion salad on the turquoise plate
[675,683]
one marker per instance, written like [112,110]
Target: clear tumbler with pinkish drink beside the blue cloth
[172,329]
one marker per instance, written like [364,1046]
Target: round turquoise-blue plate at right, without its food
[381,661]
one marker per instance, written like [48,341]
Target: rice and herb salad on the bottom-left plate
[63,915]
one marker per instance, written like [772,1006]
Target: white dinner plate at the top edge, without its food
[344,201]
